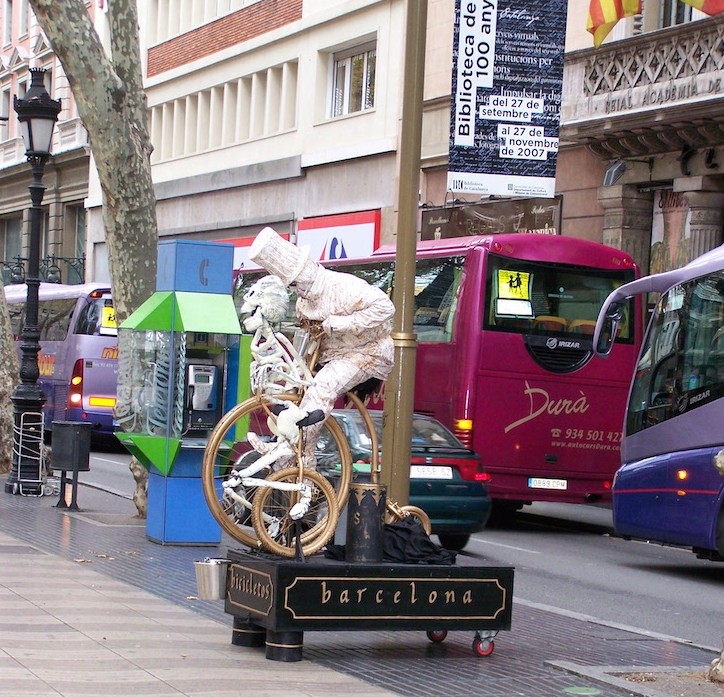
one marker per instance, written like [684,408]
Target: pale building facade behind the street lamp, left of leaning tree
[63,243]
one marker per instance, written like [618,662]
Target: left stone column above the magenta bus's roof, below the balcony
[627,219]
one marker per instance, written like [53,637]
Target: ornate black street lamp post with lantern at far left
[37,114]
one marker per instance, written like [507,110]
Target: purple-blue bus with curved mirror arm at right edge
[670,486]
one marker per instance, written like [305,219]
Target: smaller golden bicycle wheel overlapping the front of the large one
[275,529]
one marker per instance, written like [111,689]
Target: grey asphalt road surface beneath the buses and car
[567,557]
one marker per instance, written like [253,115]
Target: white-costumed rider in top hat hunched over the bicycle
[354,315]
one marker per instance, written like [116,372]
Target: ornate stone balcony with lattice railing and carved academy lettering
[657,92]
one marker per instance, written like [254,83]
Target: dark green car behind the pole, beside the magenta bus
[446,479]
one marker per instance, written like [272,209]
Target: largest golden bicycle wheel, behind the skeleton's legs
[227,450]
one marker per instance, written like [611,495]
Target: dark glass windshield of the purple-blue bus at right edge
[682,360]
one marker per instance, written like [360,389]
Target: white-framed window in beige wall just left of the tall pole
[353,80]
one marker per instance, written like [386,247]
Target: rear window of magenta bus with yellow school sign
[543,298]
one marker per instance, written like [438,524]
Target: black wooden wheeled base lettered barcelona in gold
[279,599]
